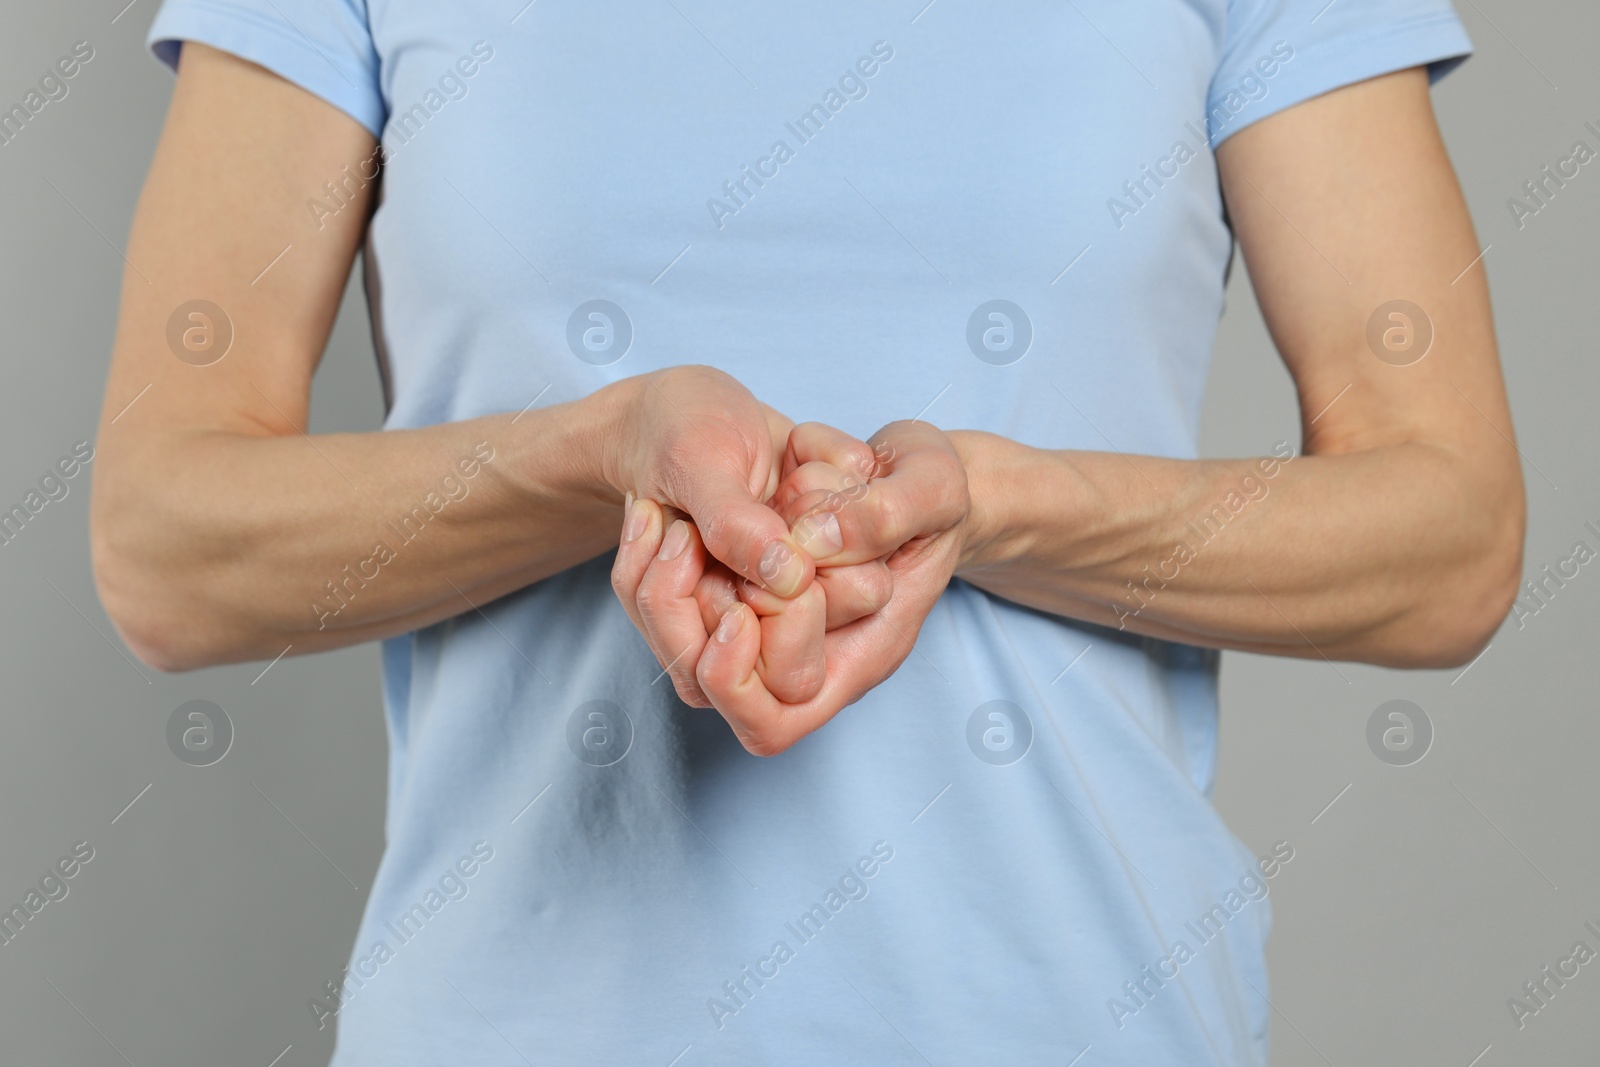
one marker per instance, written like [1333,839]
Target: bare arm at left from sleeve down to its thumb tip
[218,526]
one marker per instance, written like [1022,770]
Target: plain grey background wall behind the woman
[215,906]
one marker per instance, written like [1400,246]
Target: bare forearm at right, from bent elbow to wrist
[1393,556]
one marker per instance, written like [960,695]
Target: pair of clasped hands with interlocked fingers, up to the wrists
[780,572]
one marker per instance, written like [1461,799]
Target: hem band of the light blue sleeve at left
[276,47]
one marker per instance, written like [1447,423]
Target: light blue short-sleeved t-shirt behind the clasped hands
[994,215]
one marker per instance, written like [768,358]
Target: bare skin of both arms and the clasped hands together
[1396,538]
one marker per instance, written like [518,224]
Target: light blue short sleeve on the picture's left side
[326,47]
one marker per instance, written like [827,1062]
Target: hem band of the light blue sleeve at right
[1438,41]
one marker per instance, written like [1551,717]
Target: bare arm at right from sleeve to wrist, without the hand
[1396,538]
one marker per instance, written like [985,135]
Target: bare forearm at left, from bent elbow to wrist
[225,546]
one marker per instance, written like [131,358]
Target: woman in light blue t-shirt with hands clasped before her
[610,252]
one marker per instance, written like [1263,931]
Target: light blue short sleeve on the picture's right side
[1279,54]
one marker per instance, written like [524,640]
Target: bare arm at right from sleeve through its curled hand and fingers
[1394,538]
